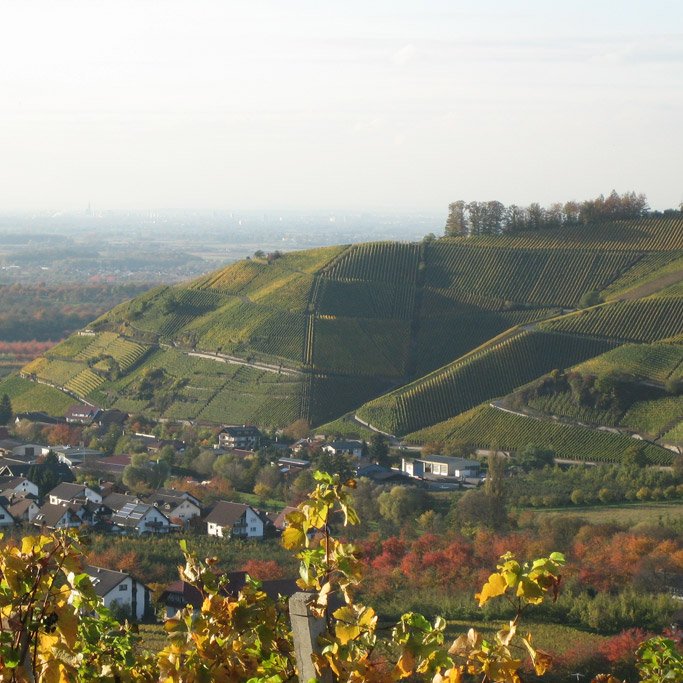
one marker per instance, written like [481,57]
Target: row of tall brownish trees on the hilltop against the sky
[494,218]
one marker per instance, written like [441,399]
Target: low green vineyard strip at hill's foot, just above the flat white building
[486,427]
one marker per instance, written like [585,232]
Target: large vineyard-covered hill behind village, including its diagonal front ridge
[440,325]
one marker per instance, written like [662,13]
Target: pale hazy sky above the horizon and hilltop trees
[337,104]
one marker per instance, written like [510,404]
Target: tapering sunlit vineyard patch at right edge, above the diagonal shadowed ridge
[645,320]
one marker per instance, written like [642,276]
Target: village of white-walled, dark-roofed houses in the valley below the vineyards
[61,486]
